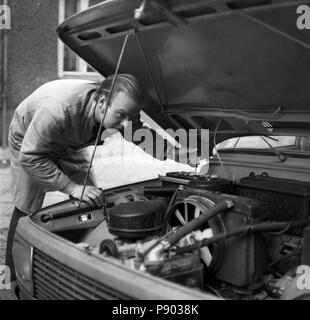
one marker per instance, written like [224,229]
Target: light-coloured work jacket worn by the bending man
[47,137]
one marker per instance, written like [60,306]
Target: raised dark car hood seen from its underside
[244,62]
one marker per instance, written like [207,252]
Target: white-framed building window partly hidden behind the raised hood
[69,63]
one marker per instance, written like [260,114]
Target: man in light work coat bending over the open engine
[47,135]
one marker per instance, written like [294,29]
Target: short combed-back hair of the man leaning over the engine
[124,82]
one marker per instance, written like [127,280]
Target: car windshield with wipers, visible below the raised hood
[283,143]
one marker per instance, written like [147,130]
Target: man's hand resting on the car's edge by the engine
[92,195]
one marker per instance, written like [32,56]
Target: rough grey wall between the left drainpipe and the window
[32,47]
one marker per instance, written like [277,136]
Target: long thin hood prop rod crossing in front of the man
[107,101]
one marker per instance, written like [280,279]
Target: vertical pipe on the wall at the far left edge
[4,79]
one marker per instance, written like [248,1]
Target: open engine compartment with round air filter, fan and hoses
[240,240]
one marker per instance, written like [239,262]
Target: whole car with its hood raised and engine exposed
[238,68]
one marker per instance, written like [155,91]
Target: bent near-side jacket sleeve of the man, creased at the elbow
[46,127]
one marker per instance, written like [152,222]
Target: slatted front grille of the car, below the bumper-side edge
[55,281]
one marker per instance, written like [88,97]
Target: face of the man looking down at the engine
[122,109]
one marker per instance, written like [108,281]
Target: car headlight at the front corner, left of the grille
[22,255]
